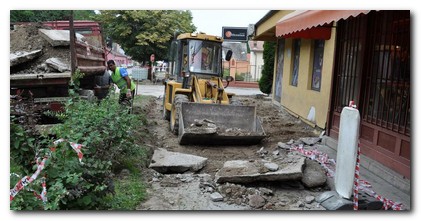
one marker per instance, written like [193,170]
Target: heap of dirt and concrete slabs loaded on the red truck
[37,50]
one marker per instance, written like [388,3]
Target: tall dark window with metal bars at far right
[387,100]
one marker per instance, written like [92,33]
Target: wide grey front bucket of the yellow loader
[216,124]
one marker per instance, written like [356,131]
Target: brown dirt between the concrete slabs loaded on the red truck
[26,38]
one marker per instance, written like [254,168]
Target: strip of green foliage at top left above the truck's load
[49,15]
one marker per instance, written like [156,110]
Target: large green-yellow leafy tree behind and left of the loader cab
[145,32]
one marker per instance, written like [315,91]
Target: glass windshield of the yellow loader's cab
[204,57]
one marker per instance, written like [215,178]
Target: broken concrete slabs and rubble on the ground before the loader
[282,168]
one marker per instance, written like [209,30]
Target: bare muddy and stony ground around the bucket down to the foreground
[193,191]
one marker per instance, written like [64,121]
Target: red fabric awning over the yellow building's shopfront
[314,24]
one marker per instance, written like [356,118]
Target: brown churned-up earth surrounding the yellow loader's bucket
[278,125]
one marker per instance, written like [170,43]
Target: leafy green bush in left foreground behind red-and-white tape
[105,131]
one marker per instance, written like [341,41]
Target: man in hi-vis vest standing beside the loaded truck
[121,78]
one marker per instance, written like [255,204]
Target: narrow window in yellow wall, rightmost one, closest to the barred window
[317,64]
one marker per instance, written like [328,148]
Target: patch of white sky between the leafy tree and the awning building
[212,21]
